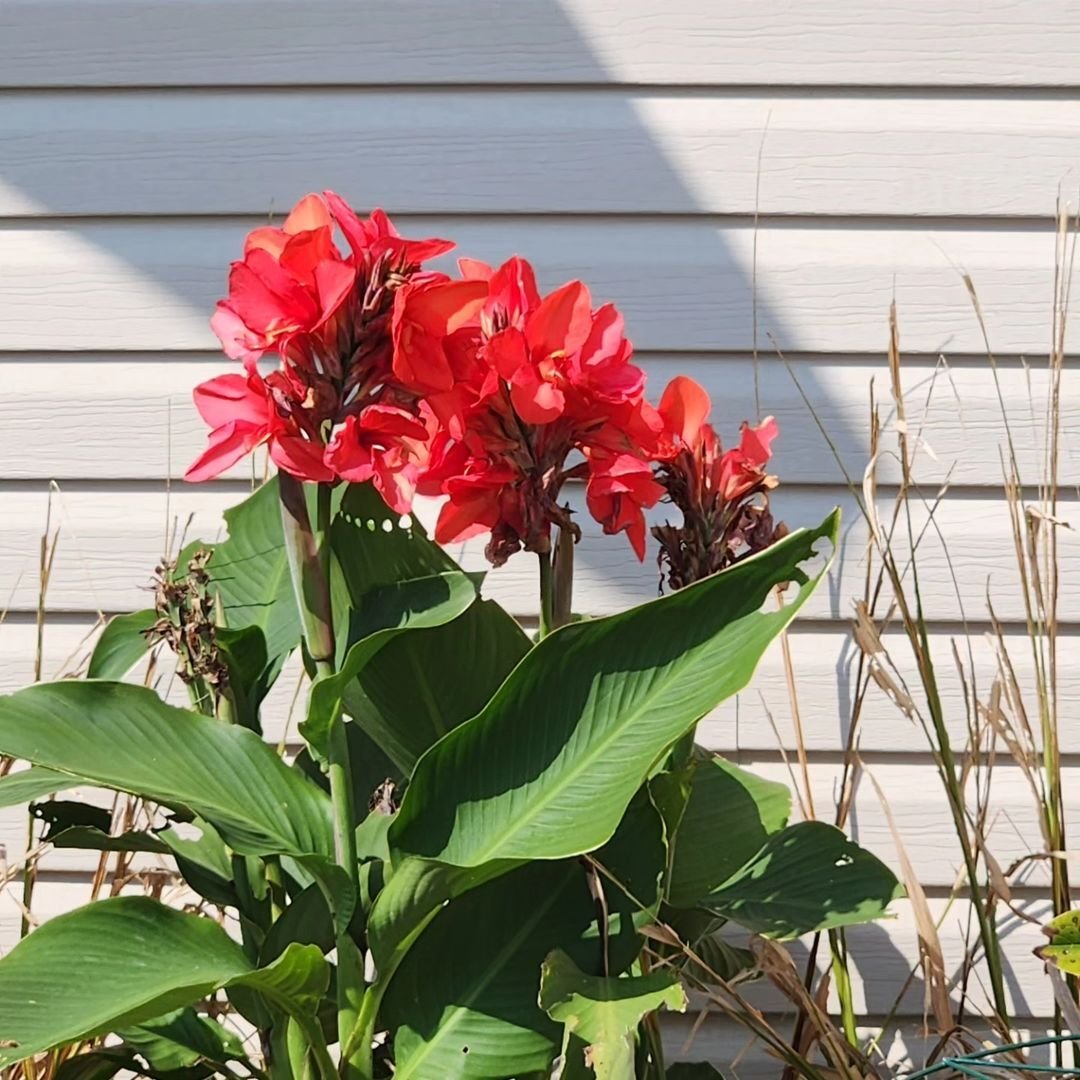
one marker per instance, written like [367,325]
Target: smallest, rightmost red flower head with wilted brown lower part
[724,496]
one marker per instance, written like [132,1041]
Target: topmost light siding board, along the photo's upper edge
[181,43]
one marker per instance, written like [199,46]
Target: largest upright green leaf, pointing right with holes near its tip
[548,768]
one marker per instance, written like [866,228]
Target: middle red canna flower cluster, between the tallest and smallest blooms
[529,393]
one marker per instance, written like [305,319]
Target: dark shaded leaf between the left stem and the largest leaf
[414,695]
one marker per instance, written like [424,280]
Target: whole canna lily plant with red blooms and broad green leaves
[465,871]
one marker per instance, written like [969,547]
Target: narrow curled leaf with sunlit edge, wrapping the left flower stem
[386,612]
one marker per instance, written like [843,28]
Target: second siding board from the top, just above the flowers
[574,152]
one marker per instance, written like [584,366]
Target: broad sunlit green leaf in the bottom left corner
[125,962]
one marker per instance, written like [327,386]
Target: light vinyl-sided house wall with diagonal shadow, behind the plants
[739,178]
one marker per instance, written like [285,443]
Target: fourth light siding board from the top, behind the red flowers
[153,430]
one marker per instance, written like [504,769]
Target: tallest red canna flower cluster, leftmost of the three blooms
[332,411]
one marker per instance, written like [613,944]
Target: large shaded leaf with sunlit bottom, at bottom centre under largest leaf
[464,1003]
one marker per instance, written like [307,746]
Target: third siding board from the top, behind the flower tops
[151,286]
